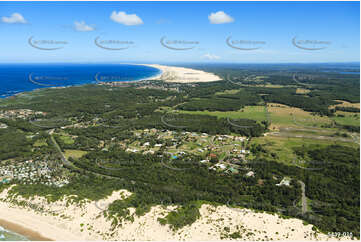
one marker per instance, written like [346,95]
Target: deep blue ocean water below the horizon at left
[16,78]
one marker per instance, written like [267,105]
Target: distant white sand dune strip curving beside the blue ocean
[182,74]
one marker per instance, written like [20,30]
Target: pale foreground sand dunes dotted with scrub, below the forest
[88,223]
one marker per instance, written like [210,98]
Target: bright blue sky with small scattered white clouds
[194,32]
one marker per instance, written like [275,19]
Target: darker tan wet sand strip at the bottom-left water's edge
[23,231]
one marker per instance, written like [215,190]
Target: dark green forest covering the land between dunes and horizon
[108,114]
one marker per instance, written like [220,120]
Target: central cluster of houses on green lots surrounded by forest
[225,153]
